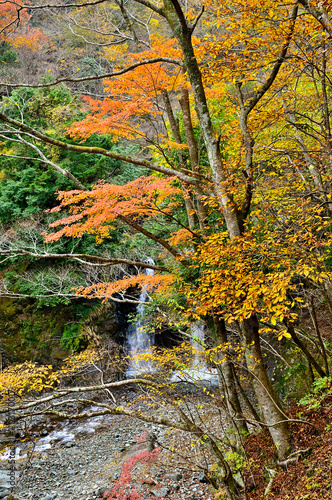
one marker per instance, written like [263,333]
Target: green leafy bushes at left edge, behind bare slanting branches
[29,186]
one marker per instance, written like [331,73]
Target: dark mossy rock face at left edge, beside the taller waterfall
[42,334]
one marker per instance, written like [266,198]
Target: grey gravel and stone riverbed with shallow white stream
[81,460]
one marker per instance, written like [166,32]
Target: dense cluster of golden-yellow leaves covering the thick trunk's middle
[257,272]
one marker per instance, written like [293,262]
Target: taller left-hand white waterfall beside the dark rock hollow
[139,341]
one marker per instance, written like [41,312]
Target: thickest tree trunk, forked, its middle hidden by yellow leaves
[270,408]
